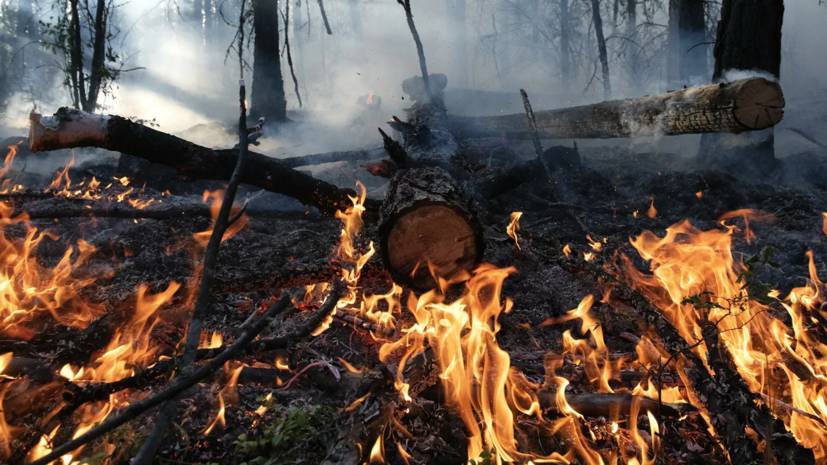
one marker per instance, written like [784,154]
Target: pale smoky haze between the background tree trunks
[504,45]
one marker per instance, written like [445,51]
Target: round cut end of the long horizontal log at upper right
[759,104]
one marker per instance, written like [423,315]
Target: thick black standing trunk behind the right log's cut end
[748,38]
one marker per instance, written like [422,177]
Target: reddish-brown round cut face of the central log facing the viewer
[431,239]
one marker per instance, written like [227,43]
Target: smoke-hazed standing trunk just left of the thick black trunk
[686,58]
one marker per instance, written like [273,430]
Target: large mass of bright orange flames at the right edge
[695,279]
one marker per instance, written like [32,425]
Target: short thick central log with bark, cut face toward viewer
[426,222]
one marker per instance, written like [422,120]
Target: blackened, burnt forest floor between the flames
[286,250]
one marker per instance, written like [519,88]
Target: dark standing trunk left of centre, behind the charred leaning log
[268,99]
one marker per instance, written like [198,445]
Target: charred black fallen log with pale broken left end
[73,128]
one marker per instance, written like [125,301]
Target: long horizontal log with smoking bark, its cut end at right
[745,105]
